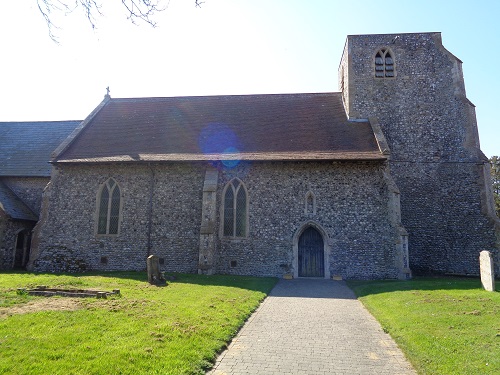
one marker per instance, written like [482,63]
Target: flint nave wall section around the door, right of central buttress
[351,206]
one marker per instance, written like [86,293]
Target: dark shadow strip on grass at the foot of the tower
[364,288]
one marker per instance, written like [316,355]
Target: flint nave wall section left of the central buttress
[66,239]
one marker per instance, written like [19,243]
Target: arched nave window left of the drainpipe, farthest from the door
[108,210]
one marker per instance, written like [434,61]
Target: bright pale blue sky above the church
[227,47]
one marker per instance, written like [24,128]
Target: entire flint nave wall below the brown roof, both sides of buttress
[352,206]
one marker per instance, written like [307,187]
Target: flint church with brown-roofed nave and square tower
[381,179]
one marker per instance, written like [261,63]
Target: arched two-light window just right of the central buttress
[235,223]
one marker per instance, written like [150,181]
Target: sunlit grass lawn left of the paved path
[174,329]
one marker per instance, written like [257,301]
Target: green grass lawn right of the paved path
[443,325]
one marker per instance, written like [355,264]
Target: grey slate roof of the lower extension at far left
[26,147]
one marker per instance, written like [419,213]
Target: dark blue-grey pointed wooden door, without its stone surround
[311,254]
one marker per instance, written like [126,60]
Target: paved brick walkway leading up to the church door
[312,327]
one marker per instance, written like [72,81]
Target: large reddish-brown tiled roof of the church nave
[238,127]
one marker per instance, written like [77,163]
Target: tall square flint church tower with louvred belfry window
[415,89]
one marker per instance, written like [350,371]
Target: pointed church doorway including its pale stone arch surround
[311,251]
